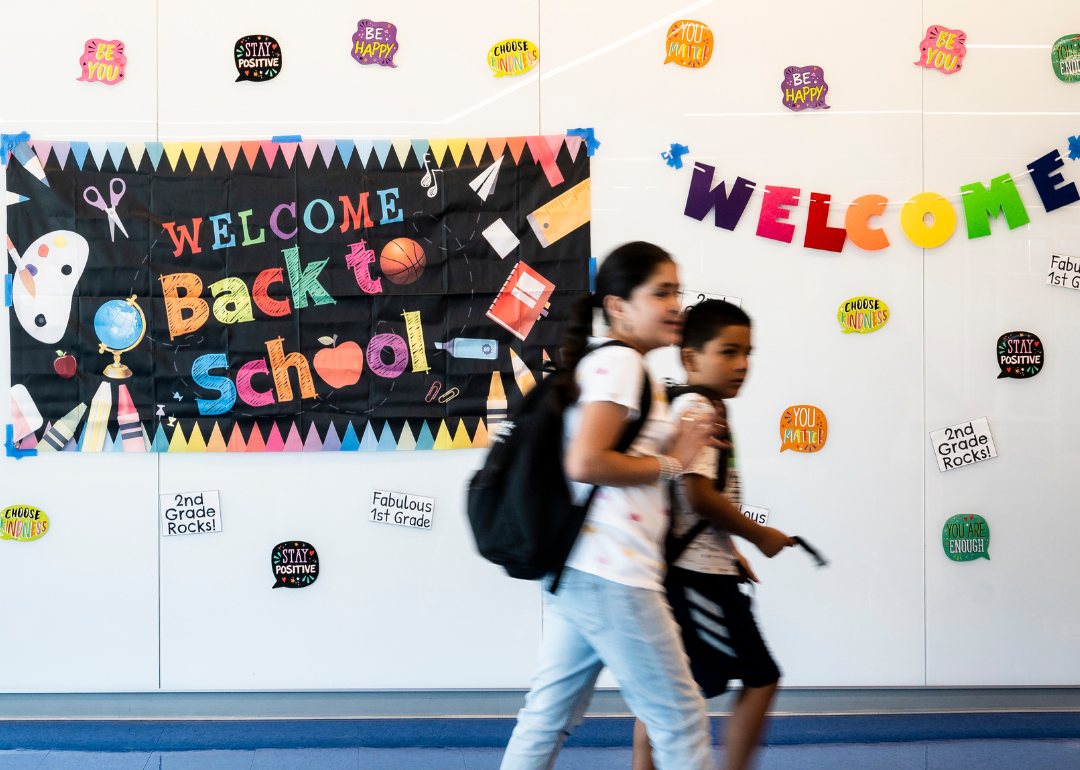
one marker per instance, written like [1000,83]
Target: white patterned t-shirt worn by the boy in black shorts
[711,551]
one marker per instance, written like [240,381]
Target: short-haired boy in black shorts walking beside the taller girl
[706,570]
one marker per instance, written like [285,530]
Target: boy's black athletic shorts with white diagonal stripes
[719,631]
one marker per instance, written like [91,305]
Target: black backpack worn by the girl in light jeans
[520,505]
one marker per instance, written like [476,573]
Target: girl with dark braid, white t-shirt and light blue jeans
[611,607]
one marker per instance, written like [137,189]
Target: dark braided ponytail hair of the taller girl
[624,271]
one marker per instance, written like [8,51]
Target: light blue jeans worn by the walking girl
[593,623]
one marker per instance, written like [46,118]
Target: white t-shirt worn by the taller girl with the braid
[624,535]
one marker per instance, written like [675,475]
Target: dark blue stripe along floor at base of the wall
[129,736]
